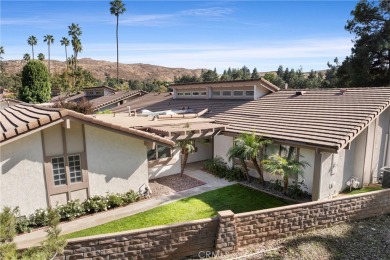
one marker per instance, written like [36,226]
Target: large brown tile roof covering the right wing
[323,118]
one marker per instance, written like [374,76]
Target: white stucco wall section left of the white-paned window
[22,181]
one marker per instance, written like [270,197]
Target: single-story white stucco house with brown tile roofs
[52,155]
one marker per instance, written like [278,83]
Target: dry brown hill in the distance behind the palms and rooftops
[98,68]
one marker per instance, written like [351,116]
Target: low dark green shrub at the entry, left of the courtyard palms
[218,167]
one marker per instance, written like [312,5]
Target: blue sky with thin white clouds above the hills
[189,34]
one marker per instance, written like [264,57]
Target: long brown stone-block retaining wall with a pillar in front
[227,232]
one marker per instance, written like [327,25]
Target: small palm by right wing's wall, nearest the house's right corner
[285,166]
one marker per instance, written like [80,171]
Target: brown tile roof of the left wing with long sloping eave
[22,119]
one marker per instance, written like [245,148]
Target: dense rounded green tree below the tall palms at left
[35,83]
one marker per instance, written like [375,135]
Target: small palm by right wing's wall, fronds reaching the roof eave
[250,147]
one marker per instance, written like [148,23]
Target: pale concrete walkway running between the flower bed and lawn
[193,170]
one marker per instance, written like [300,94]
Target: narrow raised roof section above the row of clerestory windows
[261,81]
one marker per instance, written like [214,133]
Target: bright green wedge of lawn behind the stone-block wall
[236,197]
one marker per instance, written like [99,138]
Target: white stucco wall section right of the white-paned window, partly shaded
[116,163]
